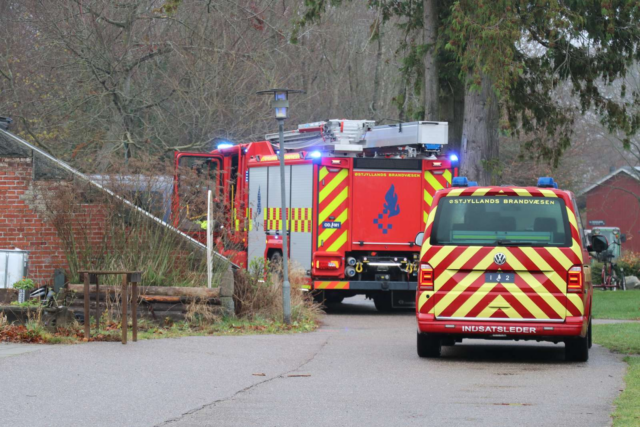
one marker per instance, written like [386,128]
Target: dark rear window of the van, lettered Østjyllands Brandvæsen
[501,221]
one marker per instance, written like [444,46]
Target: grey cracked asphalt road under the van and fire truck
[359,369]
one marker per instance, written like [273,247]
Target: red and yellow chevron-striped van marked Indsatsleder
[507,263]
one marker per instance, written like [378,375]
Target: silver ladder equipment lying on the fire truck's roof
[356,136]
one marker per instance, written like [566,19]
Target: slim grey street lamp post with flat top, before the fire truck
[281,105]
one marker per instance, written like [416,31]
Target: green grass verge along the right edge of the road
[624,338]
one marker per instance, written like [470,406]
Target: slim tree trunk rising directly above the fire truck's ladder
[430,90]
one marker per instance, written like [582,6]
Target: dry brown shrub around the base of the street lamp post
[258,293]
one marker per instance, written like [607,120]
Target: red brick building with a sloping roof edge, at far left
[31,182]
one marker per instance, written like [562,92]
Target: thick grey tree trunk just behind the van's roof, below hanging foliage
[479,154]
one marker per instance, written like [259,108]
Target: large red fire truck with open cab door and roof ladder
[358,194]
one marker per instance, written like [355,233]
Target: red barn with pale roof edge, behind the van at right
[614,201]
